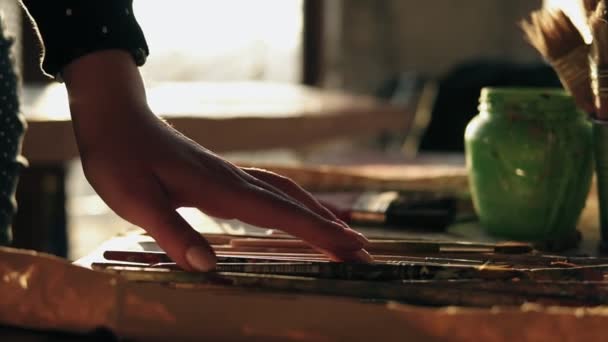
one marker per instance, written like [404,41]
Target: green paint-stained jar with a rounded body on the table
[529,160]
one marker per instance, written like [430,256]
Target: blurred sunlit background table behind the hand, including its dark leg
[220,116]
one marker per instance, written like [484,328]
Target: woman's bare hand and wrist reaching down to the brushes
[144,170]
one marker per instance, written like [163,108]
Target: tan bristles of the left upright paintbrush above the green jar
[552,33]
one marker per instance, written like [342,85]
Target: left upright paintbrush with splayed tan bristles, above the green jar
[553,34]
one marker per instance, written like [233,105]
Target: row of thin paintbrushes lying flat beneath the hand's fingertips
[395,260]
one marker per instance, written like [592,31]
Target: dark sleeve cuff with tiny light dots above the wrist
[69,29]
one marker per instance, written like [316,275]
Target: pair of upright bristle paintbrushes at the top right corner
[581,67]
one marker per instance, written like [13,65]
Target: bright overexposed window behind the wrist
[222,40]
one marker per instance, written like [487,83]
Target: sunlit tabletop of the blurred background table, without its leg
[224,116]
